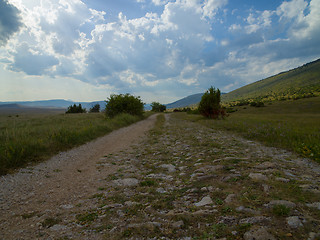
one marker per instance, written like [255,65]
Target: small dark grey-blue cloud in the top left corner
[9,21]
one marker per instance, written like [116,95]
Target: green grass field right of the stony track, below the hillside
[292,125]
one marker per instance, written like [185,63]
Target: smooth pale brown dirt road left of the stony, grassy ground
[43,191]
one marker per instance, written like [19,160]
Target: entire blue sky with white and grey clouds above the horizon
[160,50]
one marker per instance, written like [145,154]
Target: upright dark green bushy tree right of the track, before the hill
[210,104]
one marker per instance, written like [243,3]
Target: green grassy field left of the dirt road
[31,138]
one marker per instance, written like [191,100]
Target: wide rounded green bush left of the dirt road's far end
[124,103]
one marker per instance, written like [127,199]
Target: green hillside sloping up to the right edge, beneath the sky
[298,83]
